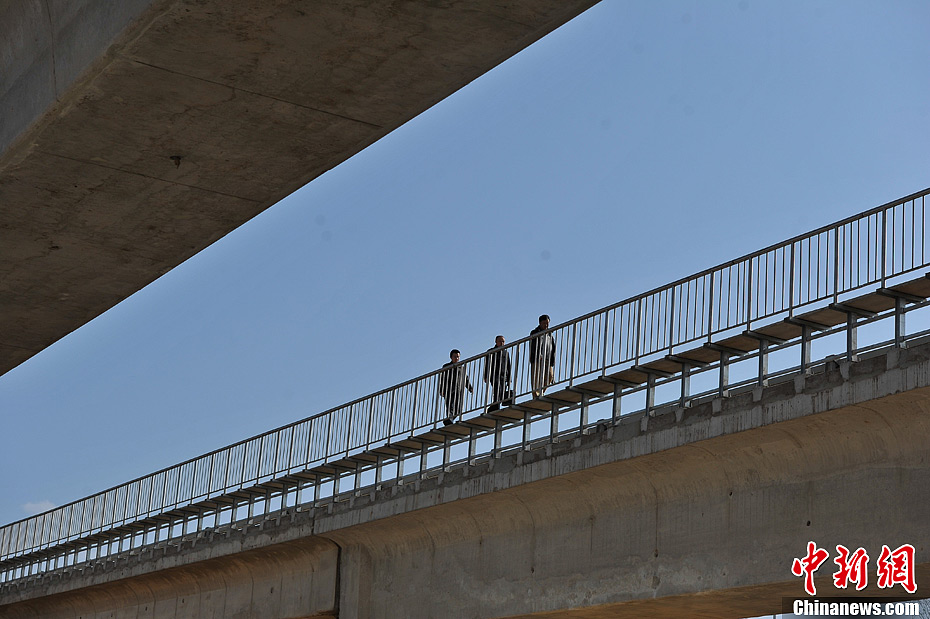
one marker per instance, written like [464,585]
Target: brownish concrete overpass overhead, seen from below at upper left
[99,99]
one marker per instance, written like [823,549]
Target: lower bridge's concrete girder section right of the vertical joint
[639,540]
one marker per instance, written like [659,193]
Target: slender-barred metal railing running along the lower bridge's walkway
[827,264]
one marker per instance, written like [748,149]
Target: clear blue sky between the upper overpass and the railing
[641,142]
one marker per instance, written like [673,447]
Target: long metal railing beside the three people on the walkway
[870,248]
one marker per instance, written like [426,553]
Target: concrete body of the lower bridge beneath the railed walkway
[700,517]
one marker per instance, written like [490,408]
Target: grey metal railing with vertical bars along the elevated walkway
[16,531]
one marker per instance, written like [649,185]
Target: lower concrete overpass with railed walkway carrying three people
[568,502]
